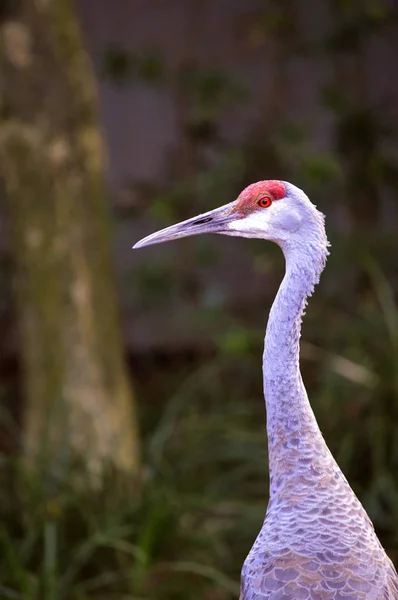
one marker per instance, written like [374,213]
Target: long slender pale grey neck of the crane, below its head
[295,442]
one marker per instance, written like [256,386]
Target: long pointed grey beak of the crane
[214,221]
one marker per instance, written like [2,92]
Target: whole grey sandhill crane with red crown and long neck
[316,542]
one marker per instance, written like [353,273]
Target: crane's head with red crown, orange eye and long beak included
[272,210]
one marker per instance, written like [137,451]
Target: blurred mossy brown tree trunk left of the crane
[78,399]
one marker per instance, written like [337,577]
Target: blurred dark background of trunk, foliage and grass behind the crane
[132,430]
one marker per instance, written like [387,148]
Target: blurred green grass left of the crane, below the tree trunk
[175,540]
